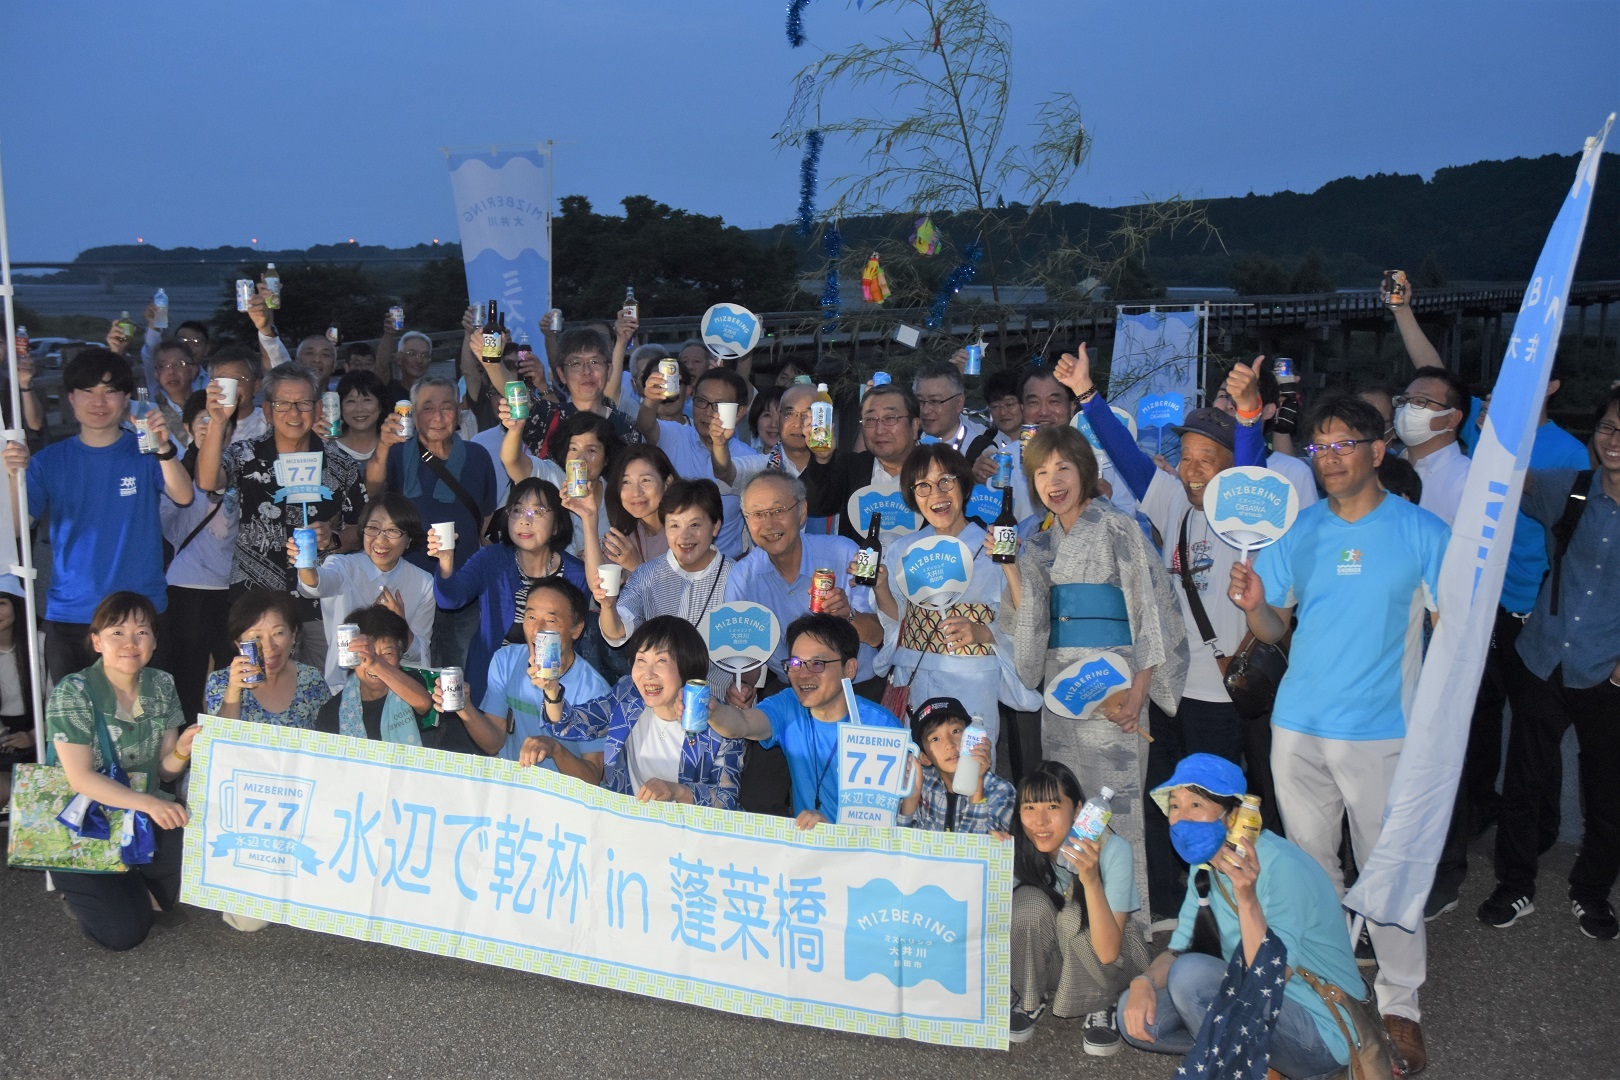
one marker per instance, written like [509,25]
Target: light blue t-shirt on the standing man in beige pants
[1360,590]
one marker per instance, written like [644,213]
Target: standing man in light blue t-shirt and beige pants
[1360,569]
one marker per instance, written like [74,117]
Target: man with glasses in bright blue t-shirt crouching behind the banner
[804,721]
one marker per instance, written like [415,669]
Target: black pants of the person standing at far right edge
[1543,710]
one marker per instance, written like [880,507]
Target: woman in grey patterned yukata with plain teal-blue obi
[1089,589]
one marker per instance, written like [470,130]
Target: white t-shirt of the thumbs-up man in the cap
[1213,561]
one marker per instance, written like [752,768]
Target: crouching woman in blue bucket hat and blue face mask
[1273,887]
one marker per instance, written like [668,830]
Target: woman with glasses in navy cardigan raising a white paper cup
[535,534]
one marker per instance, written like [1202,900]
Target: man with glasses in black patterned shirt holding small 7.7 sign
[291,402]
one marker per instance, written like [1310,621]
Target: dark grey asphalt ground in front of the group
[202,1000]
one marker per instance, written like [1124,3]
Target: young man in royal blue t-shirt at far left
[101,495]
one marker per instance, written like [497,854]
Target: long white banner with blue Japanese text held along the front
[884,932]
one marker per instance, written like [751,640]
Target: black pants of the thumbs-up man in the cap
[1198,728]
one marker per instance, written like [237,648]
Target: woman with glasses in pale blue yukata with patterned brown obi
[960,652]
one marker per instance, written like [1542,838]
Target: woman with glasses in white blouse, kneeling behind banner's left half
[377,574]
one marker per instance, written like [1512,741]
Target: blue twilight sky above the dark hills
[197,122]
